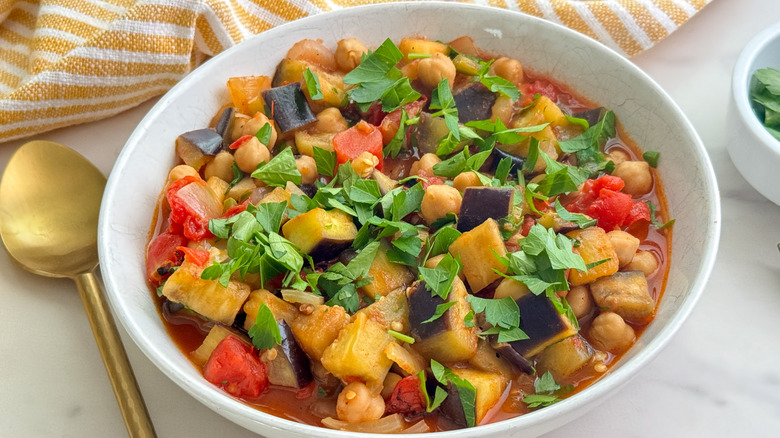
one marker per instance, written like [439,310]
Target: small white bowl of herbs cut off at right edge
[754,151]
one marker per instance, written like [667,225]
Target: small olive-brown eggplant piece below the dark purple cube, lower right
[565,358]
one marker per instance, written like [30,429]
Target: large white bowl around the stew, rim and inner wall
[646,112]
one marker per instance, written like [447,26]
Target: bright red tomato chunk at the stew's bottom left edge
[233,367]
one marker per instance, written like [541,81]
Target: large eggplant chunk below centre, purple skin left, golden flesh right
[446,339]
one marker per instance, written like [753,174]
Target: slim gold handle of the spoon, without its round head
[134,412]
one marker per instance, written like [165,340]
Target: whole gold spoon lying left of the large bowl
[49,203]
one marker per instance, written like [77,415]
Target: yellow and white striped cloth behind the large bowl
[64,62]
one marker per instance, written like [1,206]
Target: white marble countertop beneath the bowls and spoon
[718,377]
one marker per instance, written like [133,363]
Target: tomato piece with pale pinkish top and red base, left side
[193,206]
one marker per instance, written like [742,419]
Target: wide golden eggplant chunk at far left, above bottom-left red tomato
[205,297]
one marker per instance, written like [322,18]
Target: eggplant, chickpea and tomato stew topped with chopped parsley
[419,237]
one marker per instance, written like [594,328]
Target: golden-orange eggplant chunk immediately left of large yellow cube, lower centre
[316,331]
